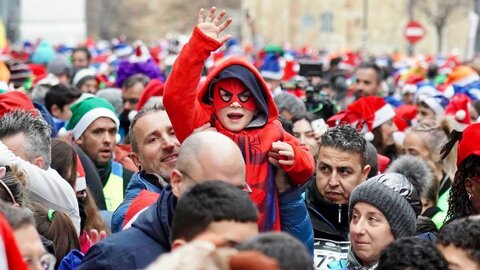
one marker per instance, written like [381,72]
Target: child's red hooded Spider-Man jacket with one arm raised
[188,109]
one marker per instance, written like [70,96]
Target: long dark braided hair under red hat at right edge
[460,204]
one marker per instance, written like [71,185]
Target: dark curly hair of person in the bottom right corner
[463,234]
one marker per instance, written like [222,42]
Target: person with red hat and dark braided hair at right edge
[464,198]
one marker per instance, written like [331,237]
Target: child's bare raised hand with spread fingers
[211,26]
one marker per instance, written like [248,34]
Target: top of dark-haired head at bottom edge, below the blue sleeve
[287,250]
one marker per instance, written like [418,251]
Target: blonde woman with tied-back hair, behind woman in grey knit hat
[425,140]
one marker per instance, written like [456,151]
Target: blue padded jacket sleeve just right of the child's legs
[294,217]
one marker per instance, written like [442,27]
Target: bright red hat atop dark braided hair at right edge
[469,144]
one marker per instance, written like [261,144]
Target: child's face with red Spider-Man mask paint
[234,103]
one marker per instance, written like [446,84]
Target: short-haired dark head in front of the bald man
[216,211]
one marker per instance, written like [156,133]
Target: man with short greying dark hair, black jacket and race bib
[341,166]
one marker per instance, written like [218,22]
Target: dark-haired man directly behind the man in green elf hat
[58,101]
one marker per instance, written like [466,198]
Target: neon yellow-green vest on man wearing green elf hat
[113,190]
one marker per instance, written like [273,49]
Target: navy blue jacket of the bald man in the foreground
[138,246]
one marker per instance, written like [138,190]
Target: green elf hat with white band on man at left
[86,111]
